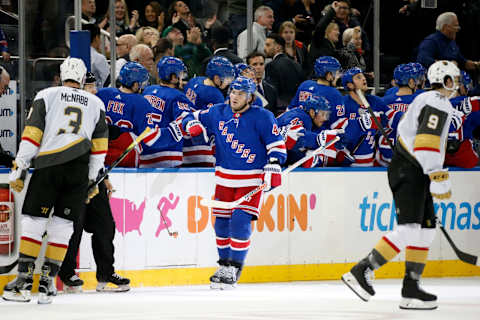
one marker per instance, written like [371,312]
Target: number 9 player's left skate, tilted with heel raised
[359,280]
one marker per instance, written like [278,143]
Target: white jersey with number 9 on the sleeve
[423,129]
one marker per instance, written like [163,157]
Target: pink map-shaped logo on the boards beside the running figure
[133,215]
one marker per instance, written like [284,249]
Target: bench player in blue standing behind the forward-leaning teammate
[326,69]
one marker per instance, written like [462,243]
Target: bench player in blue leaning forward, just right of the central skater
[297,127]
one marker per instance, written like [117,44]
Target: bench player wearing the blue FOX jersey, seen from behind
[128,114]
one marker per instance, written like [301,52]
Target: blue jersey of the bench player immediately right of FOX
[170,104]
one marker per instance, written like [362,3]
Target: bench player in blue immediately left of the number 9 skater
[405,77]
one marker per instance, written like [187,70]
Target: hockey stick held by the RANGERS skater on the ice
[230,205]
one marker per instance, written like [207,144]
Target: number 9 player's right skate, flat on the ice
[414,298]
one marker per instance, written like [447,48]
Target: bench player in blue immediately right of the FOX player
[171,104]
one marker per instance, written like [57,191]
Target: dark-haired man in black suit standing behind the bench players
[282,72]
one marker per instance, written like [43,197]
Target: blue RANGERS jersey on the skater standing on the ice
[244,143]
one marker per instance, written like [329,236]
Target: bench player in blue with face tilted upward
[360,123]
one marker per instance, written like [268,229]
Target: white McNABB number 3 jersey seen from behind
[63,124]
